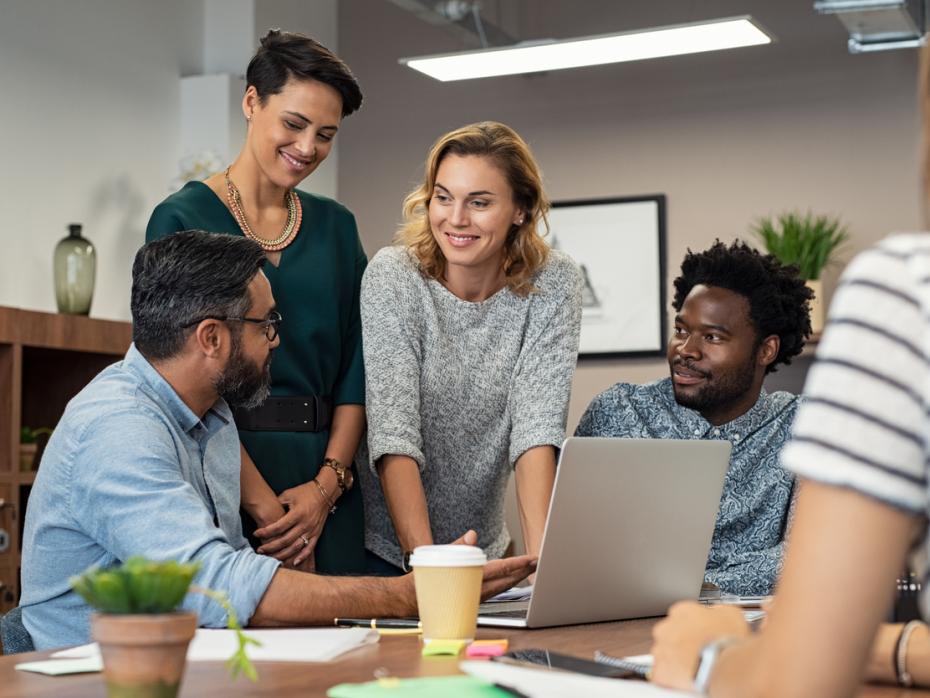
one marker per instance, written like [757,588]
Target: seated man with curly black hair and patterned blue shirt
[739,314]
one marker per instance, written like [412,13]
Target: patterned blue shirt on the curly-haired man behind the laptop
[746,550]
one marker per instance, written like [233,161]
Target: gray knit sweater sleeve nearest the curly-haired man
[542,383]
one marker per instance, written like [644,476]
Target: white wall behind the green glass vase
[89,134]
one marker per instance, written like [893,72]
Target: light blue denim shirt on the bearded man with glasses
[131,470]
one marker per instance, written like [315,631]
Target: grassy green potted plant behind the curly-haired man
[807,241]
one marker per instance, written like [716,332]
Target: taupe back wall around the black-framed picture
[727,136]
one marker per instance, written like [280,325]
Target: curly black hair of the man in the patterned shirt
[779,300]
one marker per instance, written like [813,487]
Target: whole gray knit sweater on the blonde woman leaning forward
[462,388]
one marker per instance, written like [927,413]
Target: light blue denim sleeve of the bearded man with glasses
[129,495]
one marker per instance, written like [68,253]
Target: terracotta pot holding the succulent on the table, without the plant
[143,655]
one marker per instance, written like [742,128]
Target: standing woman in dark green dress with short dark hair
[297,478]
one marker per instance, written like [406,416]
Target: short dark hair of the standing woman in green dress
[285,55]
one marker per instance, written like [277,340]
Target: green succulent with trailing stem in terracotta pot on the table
[142,635]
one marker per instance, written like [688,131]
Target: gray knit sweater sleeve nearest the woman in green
[392,360]
